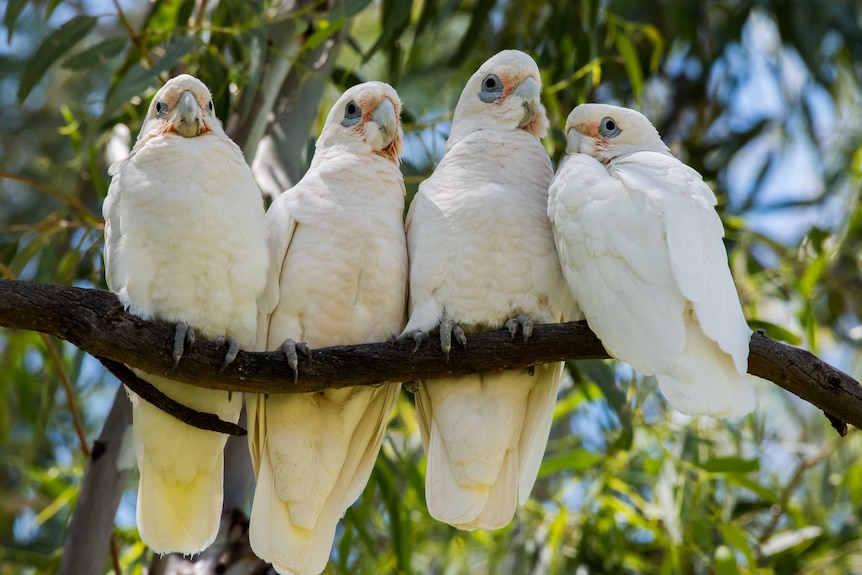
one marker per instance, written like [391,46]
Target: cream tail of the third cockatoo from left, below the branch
[485,436]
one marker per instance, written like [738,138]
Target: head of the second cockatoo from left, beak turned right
[367,116]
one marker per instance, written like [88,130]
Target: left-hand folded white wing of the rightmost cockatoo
[612,247]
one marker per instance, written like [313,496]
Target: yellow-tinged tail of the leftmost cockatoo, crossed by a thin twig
[181,470]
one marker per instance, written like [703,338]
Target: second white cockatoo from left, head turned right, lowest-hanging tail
[338,276]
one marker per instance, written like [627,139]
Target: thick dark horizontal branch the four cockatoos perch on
[95,321]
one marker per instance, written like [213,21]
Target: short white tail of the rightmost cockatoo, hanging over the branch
[708,382]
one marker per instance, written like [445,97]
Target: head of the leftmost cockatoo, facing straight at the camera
[183,106]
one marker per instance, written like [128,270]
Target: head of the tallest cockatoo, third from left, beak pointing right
[503,94]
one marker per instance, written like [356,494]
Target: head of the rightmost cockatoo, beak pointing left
[607,132]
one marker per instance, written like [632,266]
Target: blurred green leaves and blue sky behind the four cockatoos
[762,97]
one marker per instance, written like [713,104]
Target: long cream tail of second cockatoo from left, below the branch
[296,535]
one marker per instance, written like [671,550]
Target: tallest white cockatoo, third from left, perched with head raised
[482,257]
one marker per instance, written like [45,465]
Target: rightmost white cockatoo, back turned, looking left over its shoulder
[641,246]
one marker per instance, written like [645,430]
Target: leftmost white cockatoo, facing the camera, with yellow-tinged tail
[185,242]
